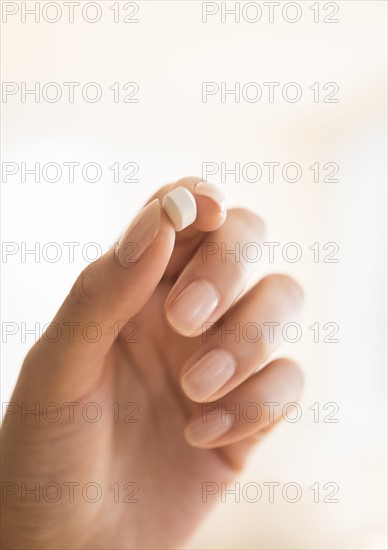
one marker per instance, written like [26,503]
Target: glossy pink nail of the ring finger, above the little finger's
[208,374]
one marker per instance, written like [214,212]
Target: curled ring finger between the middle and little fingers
[243,341]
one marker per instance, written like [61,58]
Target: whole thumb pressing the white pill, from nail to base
[70,356]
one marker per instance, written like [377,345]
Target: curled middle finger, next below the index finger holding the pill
[216,275]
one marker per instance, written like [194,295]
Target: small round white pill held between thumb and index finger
[180,207]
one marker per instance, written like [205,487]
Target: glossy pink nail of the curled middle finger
[192,307]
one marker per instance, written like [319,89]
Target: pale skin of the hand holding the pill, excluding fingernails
[162,456]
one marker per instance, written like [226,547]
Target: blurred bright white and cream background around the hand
[169,134]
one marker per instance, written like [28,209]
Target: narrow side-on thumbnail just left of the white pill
[140,234]
